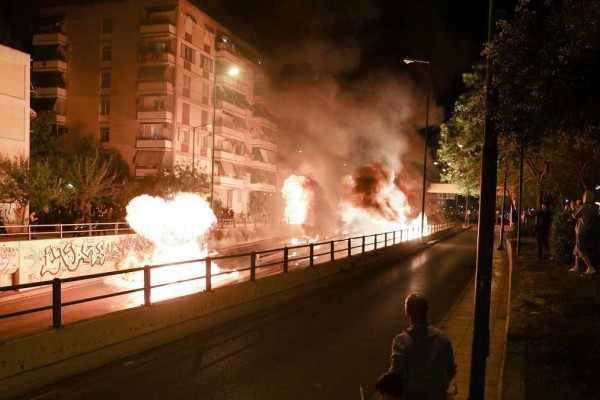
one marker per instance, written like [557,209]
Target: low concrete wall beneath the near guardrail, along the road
[46,357]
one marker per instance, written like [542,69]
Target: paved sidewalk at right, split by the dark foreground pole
[458,325]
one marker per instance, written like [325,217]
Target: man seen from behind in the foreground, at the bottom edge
[422,355]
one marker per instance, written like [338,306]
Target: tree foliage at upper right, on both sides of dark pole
[545,66]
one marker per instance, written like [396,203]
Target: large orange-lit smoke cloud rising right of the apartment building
[334,117]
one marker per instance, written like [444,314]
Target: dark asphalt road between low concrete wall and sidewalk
[323,346]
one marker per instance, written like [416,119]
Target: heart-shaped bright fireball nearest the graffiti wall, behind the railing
[176,228]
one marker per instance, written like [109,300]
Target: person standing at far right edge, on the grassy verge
[586,216]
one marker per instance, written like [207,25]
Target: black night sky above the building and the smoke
[449,34]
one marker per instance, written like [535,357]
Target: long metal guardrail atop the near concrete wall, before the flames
[300,256]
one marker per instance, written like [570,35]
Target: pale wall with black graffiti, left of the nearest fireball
[42,260]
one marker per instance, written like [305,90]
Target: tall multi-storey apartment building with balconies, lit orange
[154,79]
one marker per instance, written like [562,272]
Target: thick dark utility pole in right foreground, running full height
[485,239]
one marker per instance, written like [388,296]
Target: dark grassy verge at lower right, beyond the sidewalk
[560,310]
